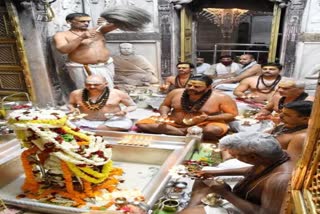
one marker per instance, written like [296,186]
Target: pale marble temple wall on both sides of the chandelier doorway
[159,42]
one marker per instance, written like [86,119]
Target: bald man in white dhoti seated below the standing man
[102,105]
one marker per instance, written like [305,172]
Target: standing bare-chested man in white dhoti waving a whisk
[86,48]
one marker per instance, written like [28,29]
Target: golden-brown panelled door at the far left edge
[14,70]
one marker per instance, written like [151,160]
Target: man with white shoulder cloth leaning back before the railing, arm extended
[250,68]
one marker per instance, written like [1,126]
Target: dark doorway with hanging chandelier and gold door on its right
[233,28]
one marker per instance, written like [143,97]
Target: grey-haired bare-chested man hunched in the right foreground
[264,186]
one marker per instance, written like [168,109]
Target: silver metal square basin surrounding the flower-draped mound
[163,153]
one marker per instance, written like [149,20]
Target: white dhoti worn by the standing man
[78,73]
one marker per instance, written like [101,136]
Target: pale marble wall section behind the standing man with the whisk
[154,42]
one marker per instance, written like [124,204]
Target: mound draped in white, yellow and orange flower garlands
[77,175]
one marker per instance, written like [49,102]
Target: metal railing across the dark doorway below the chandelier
[252,50]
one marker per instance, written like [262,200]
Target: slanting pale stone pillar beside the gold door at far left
[34,36]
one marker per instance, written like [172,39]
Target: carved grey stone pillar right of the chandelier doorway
[293,18]
